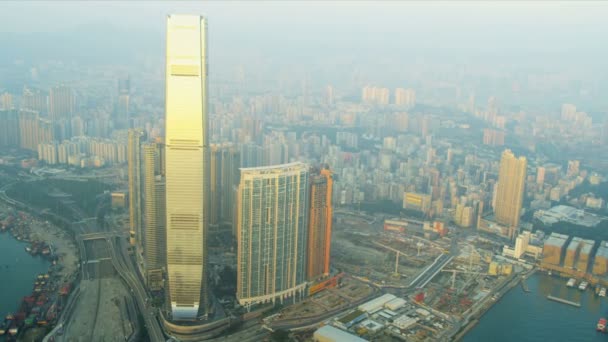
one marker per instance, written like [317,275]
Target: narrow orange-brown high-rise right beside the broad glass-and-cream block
[319,224]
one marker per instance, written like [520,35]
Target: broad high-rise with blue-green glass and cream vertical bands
[272,231]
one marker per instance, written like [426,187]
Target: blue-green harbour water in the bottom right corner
[522,316]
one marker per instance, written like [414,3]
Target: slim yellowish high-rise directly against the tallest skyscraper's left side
[154,217]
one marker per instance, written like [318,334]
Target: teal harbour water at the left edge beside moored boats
[18,271]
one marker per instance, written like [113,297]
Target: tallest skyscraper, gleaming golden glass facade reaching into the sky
[187,166]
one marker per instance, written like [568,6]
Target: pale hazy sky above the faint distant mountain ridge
[552,25]
